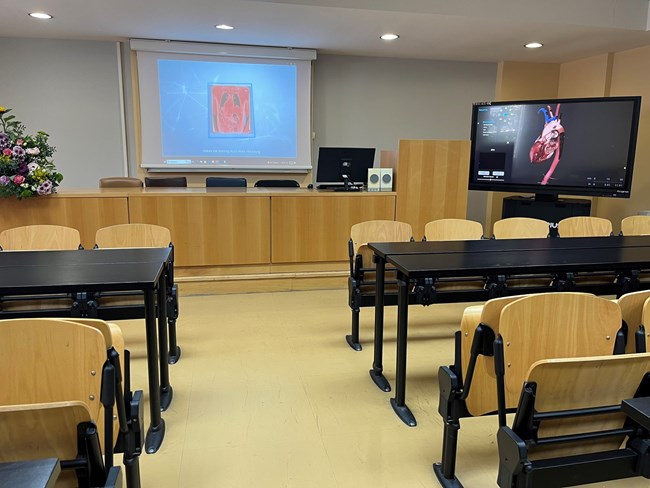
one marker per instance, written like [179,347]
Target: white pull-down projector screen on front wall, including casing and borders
[210,107]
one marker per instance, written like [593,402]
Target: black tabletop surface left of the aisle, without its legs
[71,271]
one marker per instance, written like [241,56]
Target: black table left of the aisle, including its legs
[145,269]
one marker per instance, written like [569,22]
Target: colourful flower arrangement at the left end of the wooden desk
[26,168]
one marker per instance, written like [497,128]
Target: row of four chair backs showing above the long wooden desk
[181,182]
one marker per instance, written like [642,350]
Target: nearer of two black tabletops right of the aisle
[519,262]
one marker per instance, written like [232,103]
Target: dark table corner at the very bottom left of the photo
[40,473]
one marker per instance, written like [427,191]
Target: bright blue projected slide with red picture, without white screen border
[216,111]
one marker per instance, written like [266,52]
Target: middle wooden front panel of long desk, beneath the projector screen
[209,230]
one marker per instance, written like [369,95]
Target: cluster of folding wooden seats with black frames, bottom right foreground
[573,368]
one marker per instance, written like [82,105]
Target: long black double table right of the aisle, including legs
[458,259]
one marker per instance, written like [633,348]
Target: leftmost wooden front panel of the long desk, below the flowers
[84,213]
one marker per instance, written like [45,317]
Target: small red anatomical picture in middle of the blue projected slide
[231,110]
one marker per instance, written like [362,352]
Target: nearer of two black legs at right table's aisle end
[399,402]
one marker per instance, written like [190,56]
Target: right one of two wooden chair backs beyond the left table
[132,235]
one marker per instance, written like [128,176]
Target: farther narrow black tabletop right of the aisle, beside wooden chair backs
[383,249]
